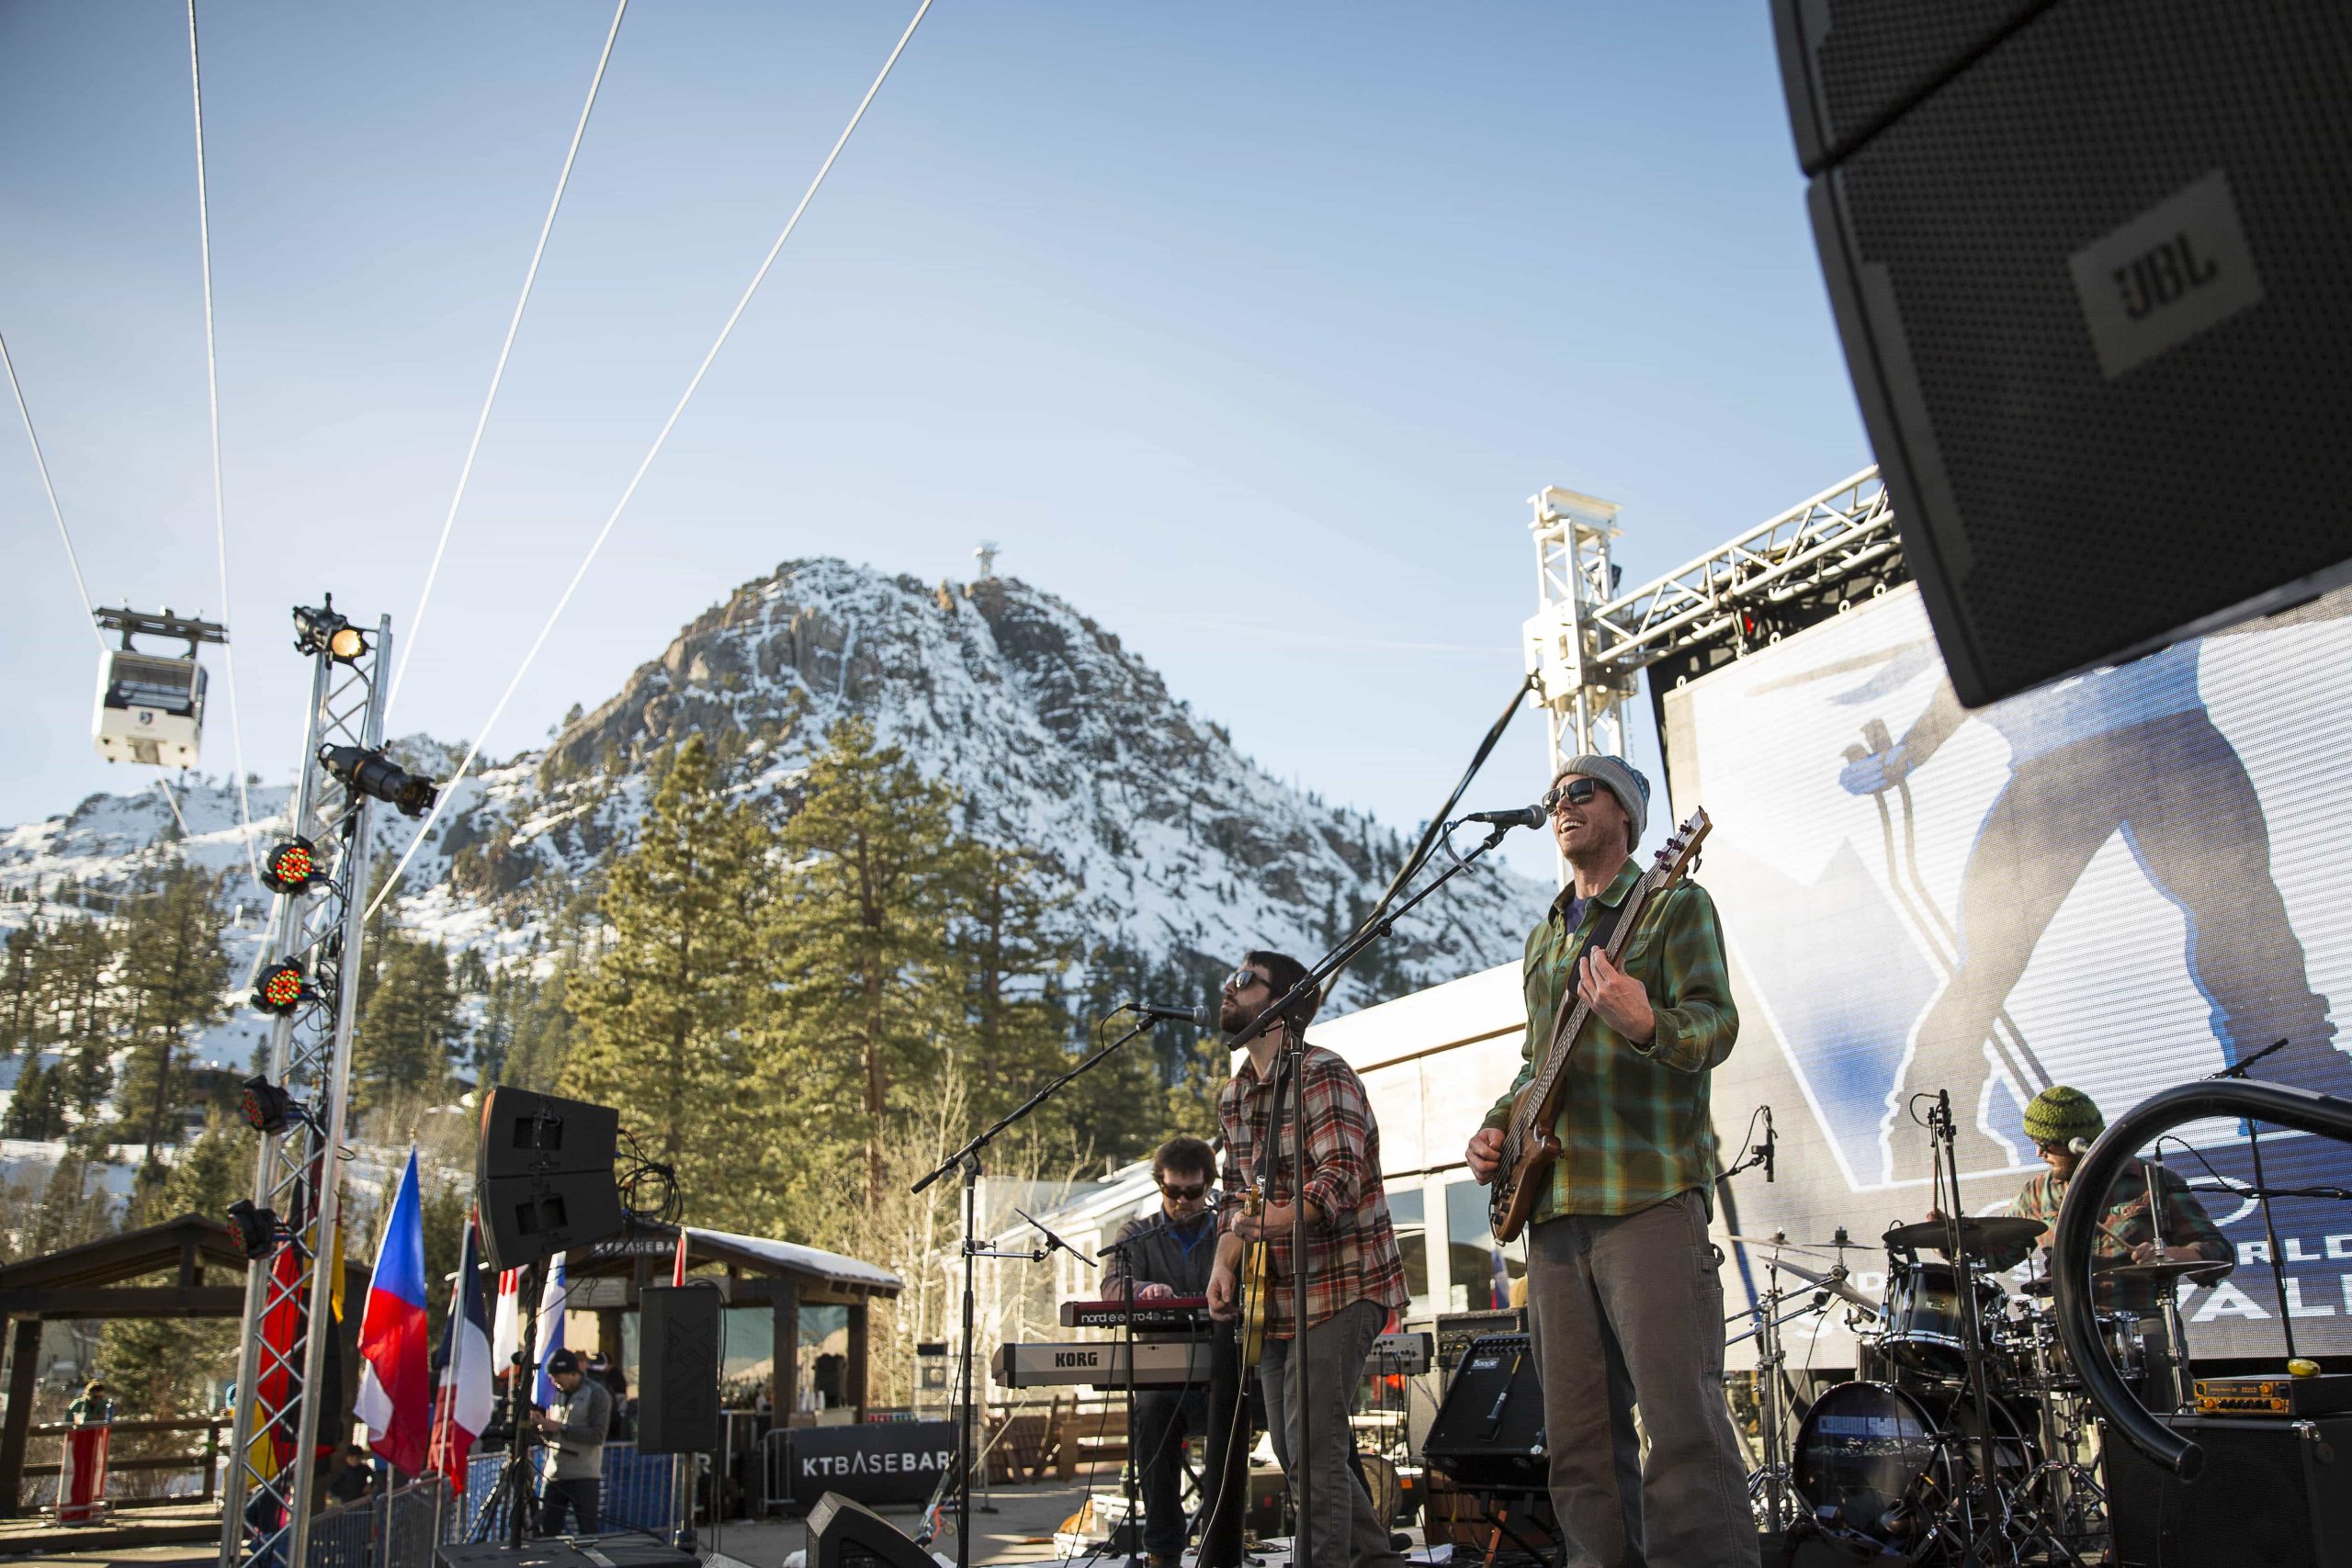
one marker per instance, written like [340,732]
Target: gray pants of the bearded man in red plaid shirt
[1347,1534]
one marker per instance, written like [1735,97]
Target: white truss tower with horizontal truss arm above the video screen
[1589,643]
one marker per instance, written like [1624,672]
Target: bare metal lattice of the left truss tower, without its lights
[290,1292]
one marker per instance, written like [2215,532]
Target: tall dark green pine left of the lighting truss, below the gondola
[173,977]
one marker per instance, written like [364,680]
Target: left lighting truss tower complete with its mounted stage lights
[300,1097]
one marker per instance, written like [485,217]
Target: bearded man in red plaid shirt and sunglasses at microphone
[1356,1275]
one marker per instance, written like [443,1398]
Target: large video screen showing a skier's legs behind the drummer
[2118,883]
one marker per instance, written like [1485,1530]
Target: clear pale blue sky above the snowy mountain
[1245,328]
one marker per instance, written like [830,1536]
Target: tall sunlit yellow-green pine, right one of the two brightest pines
[871,989]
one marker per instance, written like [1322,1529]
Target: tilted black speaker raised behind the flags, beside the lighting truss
[544,1177]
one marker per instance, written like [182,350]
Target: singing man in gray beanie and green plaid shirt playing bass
[1622,1280]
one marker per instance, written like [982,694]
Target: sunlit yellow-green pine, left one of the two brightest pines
[662,1010]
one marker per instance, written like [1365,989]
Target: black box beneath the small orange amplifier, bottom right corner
[2273,1492]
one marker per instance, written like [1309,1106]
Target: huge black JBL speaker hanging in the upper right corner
[2087,267]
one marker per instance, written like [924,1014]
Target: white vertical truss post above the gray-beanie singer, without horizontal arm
[1582,697]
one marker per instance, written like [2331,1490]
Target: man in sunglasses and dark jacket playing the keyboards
[1161,1257]
